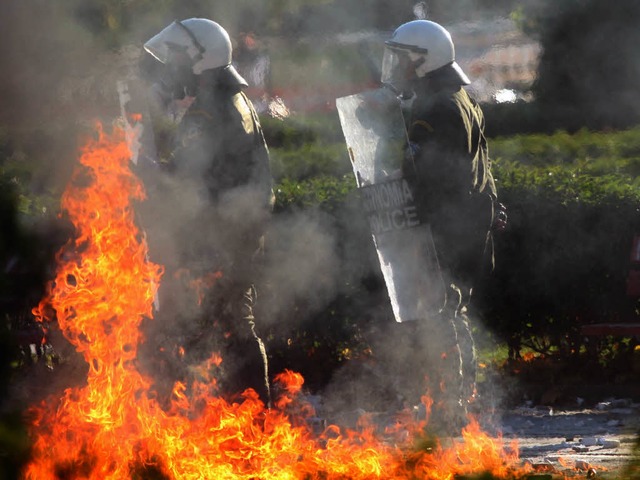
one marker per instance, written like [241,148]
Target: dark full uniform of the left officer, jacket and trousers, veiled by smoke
[222,159]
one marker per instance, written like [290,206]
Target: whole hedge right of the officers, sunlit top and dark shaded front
[573,209]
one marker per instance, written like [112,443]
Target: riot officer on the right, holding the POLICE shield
[448,163]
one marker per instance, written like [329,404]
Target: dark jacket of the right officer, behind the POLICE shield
[451,170]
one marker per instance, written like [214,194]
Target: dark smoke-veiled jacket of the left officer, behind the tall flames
[222,158]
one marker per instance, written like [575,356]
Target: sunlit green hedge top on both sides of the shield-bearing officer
[585,168]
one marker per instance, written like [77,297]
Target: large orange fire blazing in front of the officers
[114,428]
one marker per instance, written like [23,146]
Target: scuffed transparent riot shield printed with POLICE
[375,133]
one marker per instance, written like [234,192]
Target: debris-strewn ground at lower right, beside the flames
[566,418]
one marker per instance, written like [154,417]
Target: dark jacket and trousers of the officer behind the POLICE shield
[448,164]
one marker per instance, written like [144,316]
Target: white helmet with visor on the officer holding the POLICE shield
[418,48]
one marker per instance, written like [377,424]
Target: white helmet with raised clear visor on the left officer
[205,42]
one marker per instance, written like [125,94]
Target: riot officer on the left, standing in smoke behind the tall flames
[221,186]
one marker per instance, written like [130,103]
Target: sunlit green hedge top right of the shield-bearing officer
[587,168]
